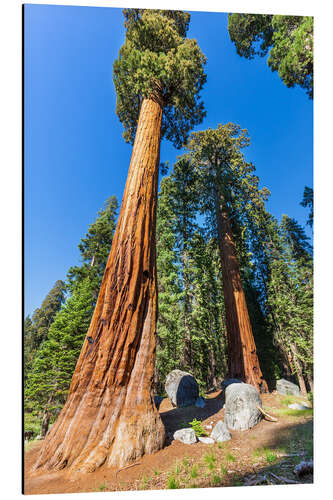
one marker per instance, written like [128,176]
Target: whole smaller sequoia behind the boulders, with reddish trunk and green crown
[229,188]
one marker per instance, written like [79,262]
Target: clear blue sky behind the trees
[75,156]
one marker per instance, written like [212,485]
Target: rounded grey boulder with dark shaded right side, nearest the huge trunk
[182,388]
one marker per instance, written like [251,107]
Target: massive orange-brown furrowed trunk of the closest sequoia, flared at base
[109,416]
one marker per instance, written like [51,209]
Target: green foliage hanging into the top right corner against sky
[288,39]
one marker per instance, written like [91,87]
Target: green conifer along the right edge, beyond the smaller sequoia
[291,300]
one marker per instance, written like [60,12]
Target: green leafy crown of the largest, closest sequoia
[157,61]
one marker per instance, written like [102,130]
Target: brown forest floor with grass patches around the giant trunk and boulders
[265,454]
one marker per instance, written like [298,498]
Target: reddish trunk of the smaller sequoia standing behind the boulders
[243,362]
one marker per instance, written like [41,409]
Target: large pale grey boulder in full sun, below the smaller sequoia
[240,407]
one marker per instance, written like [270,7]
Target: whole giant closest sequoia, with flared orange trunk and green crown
[109,416]
